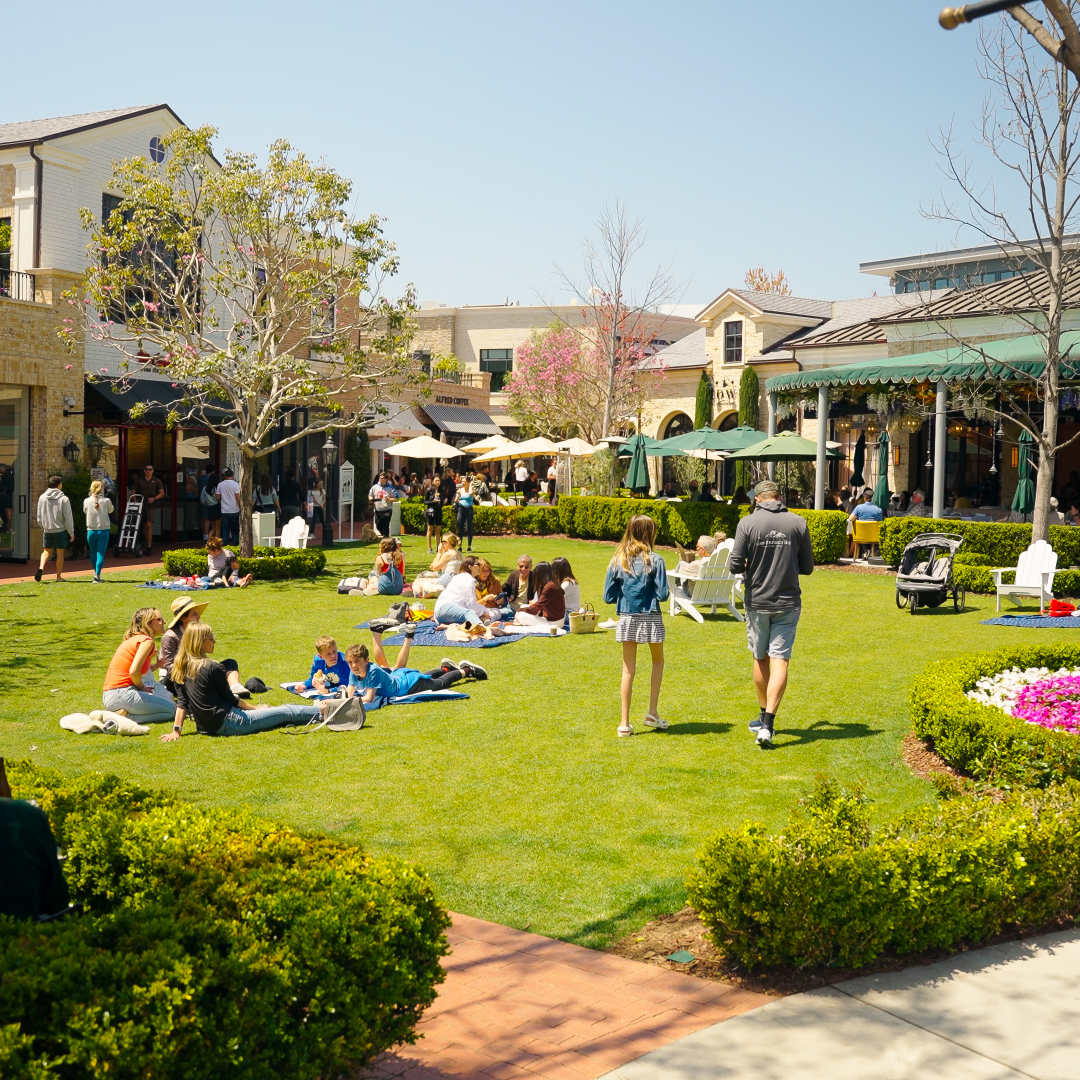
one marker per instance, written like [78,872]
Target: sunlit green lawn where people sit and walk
[521,803]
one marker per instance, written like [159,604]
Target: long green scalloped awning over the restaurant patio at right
[1011,359]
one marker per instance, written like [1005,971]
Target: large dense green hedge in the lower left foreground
[212,946]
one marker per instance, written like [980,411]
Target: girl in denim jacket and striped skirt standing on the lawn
[637,583]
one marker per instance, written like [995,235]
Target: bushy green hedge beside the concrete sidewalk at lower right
[832,893]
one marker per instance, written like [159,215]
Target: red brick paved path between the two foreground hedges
[520,1006]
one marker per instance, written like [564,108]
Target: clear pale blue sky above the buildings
[791,133]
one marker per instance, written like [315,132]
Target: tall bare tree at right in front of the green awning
[1031,128]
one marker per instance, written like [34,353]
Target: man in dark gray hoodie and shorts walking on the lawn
[773,548]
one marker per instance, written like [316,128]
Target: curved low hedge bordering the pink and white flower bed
[984,741]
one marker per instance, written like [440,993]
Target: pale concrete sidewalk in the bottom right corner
[1001,1014]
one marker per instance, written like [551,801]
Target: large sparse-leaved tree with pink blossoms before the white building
[253,289]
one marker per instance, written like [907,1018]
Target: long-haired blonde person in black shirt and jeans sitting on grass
[204,691]
